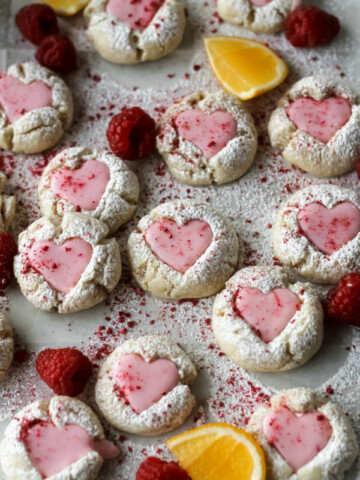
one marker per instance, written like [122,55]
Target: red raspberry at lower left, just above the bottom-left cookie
[65,370]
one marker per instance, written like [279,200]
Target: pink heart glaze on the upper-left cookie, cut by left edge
[18,98]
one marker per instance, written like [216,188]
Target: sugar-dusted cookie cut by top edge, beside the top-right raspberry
[266,16]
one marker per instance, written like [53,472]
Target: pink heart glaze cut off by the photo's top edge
[136,13]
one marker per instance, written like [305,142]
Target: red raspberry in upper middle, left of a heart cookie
[131,134]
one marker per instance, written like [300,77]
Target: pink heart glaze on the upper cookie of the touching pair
[83,187]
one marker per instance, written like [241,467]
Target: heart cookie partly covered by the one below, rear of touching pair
[91,181]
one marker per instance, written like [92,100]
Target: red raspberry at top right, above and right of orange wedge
[310,27]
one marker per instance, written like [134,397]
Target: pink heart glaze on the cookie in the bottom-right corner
[297,437]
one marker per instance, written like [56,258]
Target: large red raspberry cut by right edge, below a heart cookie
[342,303]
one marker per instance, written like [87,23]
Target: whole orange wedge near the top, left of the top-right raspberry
[244,67]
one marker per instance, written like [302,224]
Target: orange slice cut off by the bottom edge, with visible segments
[219,451]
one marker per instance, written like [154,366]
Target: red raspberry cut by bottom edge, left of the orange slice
[155,469]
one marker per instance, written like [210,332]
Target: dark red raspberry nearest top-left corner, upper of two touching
[36,22]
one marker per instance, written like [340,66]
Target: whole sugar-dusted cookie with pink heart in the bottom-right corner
[304,436]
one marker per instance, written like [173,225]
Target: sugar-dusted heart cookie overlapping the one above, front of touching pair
[67,264]
